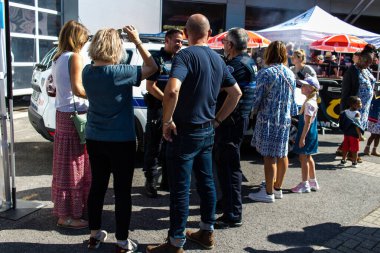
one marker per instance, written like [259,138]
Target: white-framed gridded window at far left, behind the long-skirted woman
[34,25]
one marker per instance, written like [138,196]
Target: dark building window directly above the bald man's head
[176,13]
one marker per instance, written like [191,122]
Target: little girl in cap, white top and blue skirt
[307,136]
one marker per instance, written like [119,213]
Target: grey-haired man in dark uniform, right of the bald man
[229,135]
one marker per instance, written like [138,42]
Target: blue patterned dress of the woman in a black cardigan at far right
[366,85]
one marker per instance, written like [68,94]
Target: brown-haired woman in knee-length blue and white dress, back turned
[274,99]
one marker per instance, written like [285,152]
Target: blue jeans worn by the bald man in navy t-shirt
[190,149]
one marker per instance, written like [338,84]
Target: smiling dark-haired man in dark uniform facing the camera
[155,85]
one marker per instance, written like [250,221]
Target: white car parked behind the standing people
[41,111]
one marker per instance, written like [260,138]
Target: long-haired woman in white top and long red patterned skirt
[71,168]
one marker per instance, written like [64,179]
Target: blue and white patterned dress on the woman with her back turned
[274,101]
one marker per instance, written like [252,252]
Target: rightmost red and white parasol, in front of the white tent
[341,43]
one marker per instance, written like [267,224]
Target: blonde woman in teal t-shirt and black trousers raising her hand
[110,133]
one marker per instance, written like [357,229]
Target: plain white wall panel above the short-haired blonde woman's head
[145,15]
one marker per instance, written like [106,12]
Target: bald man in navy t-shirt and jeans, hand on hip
[197,76]
